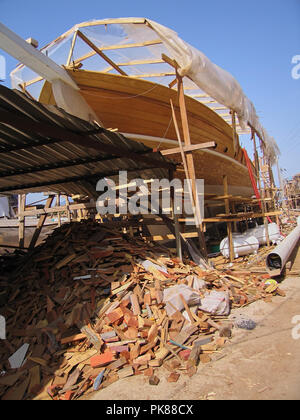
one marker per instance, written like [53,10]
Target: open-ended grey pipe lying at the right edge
[277,259]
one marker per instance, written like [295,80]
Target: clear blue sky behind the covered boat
[253,40]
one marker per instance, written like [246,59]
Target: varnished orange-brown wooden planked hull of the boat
[143,108]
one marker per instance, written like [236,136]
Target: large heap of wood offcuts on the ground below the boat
[90,306]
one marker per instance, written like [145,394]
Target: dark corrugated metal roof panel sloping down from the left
[43,147]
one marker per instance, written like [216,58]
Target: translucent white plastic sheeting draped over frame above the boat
[113,36]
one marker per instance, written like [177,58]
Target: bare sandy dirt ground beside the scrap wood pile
[261,364]
